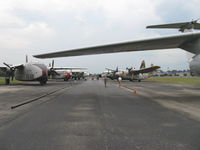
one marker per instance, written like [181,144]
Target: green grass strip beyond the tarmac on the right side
[184,80]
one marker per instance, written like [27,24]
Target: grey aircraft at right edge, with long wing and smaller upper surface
[186,41]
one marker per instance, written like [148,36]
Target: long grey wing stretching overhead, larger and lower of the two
[176,41]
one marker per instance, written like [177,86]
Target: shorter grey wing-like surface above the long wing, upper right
[182,26]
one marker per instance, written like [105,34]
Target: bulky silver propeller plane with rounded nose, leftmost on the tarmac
[25,72]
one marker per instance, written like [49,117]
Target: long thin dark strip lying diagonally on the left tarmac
[37,98]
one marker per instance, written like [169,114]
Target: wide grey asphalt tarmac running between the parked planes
[86,115]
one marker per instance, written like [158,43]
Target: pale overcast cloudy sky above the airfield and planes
[41,26]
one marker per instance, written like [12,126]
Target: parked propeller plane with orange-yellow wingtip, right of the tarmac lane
[133,74]
